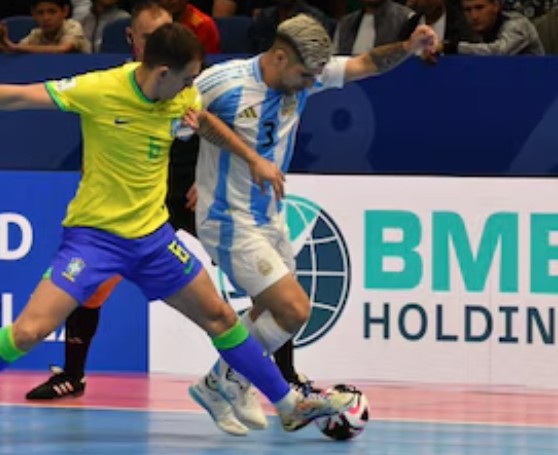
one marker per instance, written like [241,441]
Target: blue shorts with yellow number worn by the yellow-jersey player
[159,263]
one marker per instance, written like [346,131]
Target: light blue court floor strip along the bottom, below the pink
[60,431]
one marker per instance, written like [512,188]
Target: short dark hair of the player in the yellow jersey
[172,45]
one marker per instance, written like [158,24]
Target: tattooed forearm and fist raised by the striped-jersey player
[383,58]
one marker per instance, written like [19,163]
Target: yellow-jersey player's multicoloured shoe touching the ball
[314,406]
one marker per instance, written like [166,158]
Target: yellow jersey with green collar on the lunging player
[126,143]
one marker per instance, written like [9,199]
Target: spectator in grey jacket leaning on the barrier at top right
[502,33]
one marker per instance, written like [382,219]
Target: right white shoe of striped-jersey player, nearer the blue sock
[244,399]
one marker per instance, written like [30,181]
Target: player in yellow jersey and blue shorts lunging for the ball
[117,223]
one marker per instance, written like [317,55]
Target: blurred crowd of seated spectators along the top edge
[473,27]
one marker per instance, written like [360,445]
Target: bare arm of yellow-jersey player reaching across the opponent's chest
[217,132]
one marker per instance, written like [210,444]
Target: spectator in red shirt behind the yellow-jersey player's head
[202,25]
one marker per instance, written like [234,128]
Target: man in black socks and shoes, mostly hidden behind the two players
[81,325]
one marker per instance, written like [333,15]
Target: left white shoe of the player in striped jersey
[220,410]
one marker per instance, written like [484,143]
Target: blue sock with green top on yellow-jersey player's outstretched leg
[245,355]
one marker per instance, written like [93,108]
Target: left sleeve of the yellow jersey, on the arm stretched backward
[79,94]
